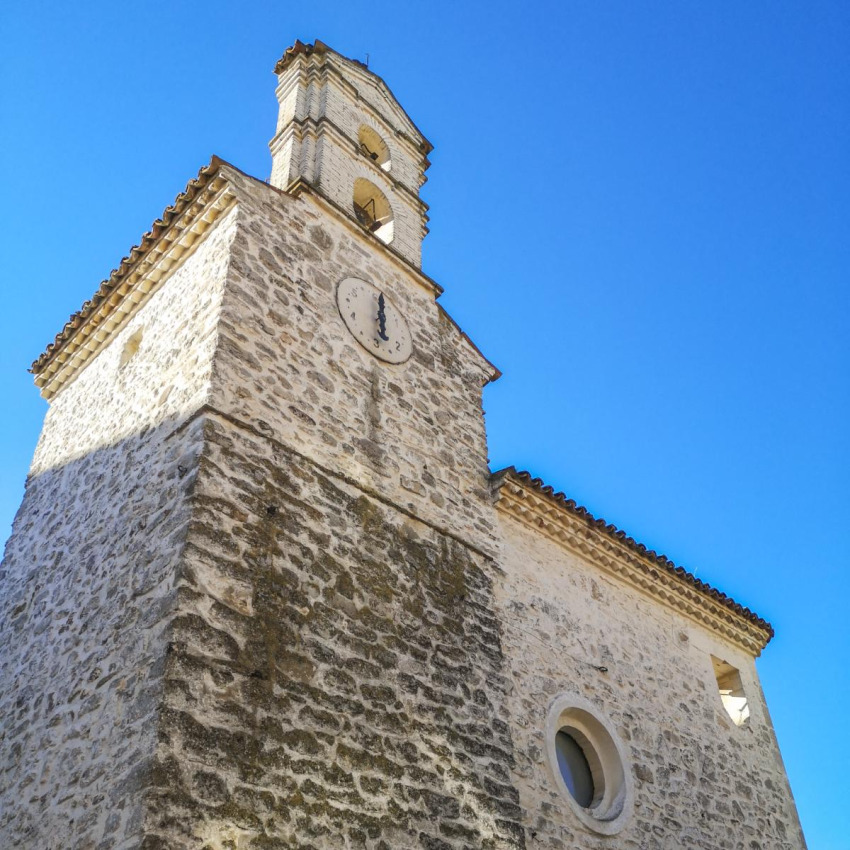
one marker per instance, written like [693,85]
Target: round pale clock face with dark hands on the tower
[374,320]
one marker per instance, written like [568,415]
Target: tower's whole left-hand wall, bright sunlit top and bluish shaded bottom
[87,583]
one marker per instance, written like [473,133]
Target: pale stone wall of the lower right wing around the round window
[700,781]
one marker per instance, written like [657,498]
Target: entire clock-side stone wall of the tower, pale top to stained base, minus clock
[335,674]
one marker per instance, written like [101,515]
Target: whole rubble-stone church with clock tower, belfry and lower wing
[264,592]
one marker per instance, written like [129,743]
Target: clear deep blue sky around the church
[639,213]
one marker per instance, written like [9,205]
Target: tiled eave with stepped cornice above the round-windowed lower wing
[539,508]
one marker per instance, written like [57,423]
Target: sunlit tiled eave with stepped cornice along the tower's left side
[169,242]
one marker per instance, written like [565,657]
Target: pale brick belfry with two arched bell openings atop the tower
[341,131]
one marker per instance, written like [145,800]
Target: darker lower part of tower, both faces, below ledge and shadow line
[211,642]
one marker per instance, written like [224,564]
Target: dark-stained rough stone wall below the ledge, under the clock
[335,674]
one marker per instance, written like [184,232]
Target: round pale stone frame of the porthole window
[610,766]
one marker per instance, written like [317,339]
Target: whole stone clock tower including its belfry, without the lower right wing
[248,598]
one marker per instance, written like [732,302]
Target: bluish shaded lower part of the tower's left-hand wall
[87,587]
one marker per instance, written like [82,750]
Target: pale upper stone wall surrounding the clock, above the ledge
[288,366]
